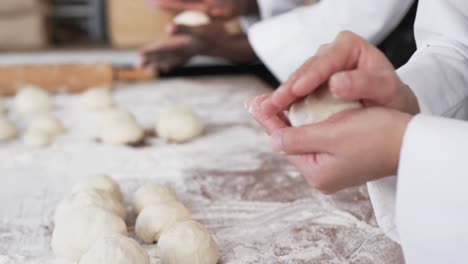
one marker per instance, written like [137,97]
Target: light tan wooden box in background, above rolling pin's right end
[133,23]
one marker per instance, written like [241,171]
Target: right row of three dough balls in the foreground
[163,219]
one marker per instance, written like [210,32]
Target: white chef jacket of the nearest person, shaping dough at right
[438,75]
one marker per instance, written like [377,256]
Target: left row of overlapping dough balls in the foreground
[90,226]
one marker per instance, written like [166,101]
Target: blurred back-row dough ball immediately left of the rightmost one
[120,127]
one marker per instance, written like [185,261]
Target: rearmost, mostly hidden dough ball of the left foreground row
[100,182]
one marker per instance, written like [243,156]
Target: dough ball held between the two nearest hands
[317,107]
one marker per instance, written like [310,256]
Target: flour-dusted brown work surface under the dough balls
[257,206]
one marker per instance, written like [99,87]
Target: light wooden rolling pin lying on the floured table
[71,78]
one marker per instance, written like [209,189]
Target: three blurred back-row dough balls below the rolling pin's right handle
[119,126]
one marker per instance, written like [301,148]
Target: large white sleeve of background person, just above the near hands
[286,41]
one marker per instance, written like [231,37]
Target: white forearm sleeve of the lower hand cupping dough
[432,196]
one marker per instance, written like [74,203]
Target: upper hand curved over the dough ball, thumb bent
[354,69]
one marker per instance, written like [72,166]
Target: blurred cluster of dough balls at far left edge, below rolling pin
[44,127]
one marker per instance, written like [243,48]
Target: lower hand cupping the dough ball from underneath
[349,149]
